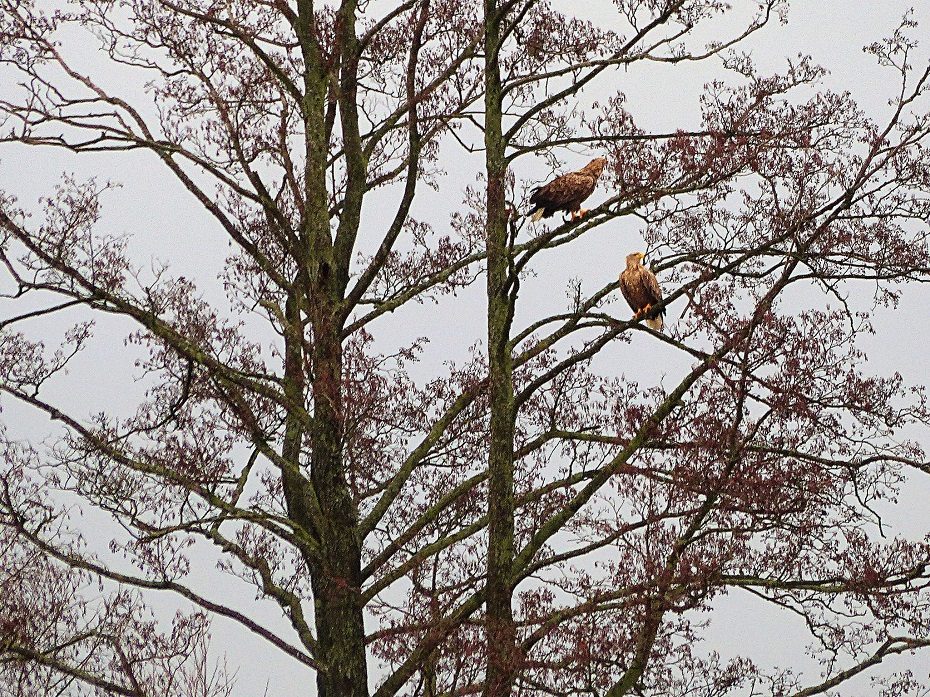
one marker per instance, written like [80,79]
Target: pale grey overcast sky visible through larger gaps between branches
[165,223]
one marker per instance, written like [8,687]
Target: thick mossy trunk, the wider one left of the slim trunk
[336,574]
